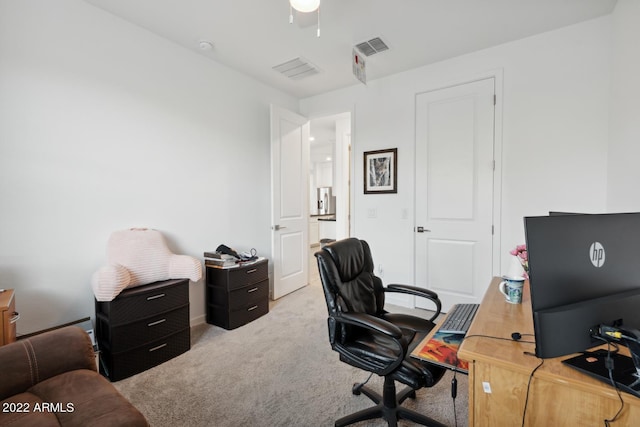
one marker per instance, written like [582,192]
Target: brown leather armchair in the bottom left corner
[51,380]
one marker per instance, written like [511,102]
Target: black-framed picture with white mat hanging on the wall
[381,171]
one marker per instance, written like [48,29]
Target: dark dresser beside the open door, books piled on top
[237,295]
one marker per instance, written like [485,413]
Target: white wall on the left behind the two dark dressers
[105,126]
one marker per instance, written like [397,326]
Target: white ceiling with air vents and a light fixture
[252,36]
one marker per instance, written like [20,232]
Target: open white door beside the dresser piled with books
[289,201]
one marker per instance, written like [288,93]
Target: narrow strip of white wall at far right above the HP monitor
[624,144]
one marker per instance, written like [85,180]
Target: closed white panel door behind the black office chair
[454,191]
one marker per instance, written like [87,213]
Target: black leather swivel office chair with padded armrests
[368,337]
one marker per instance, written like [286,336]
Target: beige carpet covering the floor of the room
[276,371]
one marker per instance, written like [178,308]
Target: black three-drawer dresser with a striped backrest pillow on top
[143,327]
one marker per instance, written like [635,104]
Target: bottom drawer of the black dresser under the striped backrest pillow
[117,366]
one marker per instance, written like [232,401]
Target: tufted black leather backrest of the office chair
[346,271]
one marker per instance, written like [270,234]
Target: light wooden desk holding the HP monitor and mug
[558,396]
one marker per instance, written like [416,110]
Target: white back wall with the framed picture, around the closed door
[553,132]
